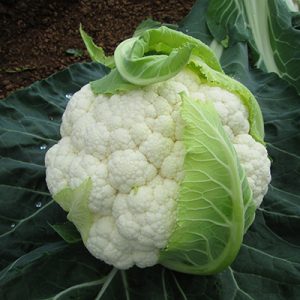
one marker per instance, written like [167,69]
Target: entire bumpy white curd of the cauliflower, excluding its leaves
[130,145]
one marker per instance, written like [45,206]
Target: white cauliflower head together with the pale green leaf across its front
[166,172]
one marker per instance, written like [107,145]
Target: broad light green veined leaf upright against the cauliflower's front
[210,213]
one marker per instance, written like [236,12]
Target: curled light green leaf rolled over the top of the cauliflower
[159,54]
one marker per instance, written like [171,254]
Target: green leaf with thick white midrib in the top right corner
[266,25]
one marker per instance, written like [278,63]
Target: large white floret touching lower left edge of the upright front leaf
[149,211]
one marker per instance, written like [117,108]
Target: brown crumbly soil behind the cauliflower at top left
[40,37]
